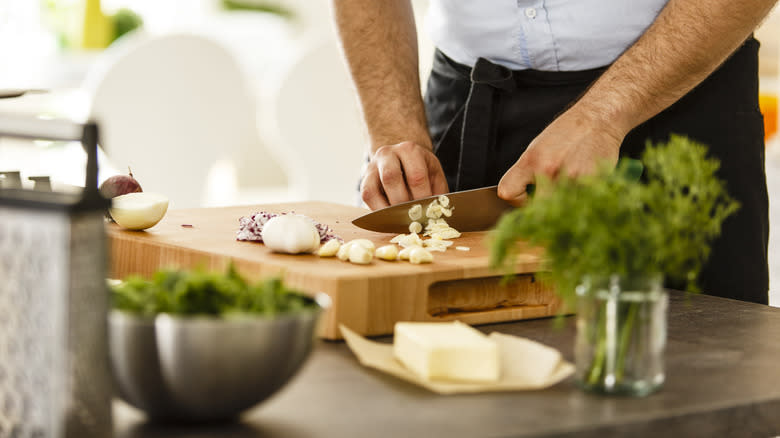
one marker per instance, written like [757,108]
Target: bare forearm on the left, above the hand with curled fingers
[379,41]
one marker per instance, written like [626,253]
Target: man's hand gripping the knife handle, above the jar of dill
[573,145]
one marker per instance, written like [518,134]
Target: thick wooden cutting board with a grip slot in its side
[369,299]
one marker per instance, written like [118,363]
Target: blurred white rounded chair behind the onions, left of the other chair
[177,110]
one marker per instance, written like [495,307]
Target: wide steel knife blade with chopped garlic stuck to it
[473,210]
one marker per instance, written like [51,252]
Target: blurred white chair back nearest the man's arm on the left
[312,123]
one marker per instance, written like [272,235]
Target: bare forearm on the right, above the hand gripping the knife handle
[687,42]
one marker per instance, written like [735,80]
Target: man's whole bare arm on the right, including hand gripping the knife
[688,40]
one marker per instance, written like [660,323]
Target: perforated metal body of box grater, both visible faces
[54,379]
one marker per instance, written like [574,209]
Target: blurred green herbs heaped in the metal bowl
[200,292]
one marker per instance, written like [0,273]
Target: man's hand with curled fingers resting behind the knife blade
[401,172]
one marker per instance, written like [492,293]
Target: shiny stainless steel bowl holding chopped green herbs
[206,368]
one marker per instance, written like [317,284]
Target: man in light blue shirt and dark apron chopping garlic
[527,87]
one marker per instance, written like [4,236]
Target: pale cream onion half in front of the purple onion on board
[139,210]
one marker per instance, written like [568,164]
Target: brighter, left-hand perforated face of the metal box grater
[33,251]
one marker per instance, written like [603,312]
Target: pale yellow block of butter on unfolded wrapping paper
[446,351]
